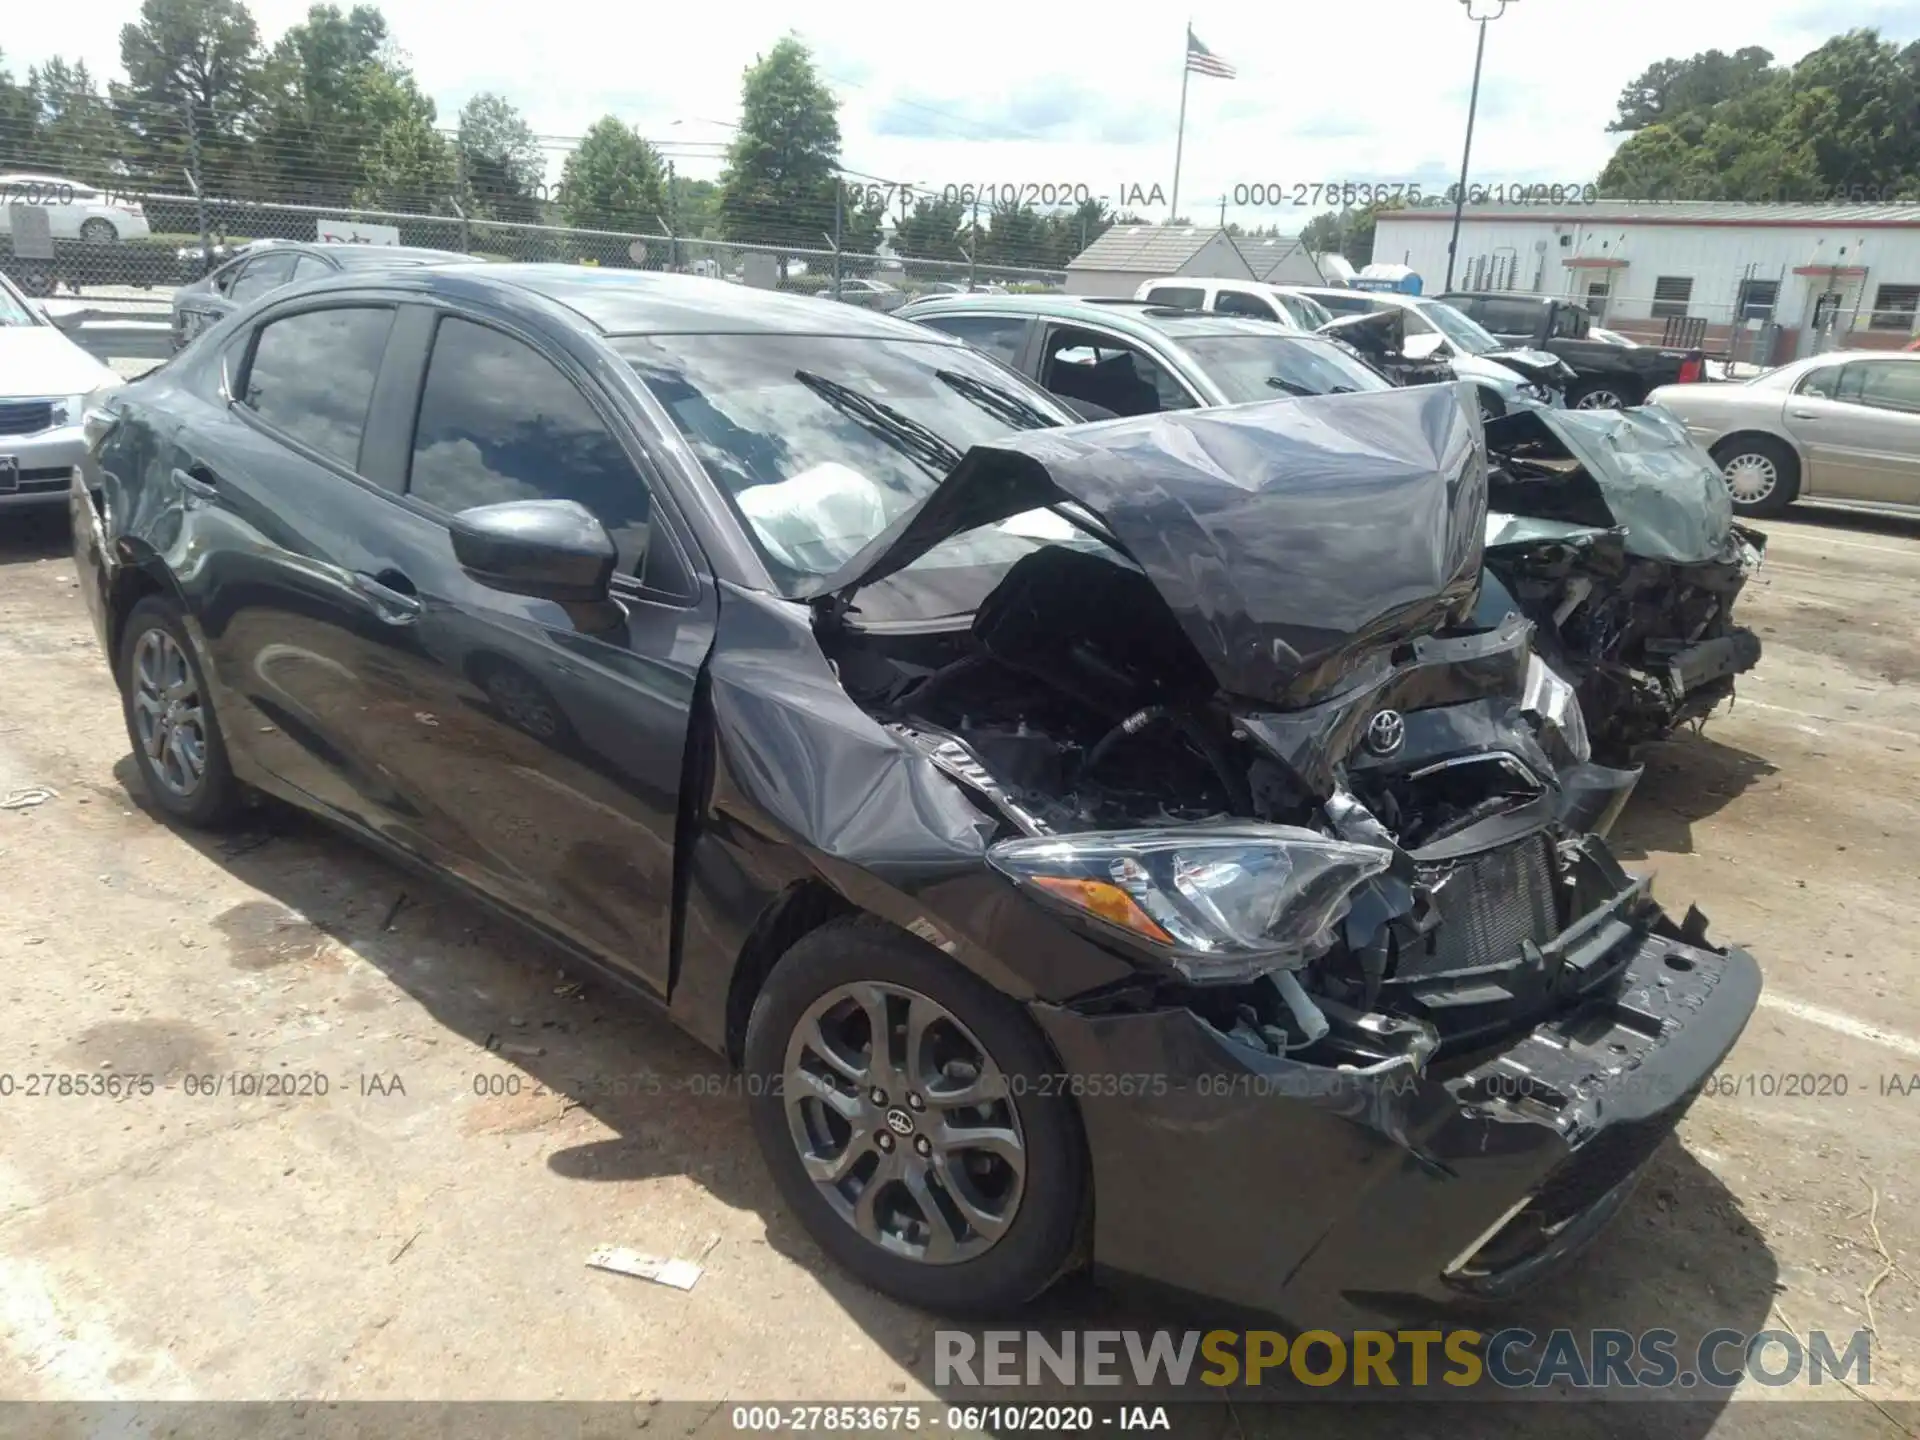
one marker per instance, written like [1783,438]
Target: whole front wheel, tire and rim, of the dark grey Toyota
[913,1118]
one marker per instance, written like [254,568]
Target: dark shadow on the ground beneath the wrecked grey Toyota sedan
[1679,1257]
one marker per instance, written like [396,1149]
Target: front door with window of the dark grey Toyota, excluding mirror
[540,746]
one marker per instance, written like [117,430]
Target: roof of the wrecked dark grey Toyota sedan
[652,302]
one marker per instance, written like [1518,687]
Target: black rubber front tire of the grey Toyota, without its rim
[1042,1239]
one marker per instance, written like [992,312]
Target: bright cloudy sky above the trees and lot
[1005,93]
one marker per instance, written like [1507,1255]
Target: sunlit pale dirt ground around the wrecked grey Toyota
[421,1230]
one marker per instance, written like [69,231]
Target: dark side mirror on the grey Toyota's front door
[542,548]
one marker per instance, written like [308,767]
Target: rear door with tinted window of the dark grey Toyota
[277,500]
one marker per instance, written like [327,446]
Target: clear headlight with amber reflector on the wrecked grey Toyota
[1222,903]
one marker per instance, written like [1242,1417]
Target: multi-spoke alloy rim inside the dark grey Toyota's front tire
[903,1122]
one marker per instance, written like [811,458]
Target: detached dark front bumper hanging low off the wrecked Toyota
[1333,1197]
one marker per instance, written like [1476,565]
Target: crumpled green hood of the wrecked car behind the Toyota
[1631,469]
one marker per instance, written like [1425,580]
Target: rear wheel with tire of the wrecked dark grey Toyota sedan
[170,719]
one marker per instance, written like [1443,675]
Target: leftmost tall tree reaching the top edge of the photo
[191,91]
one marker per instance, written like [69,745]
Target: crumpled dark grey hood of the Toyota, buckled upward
[1287,539]
